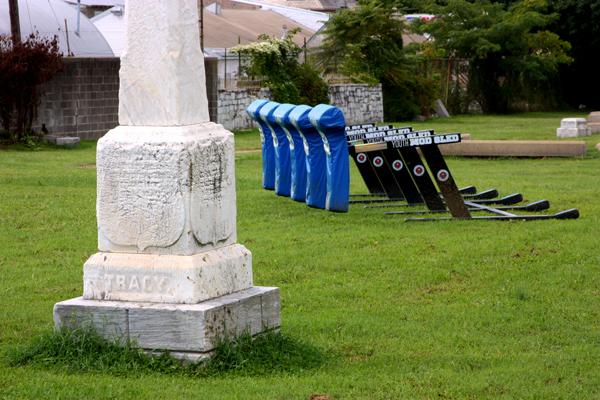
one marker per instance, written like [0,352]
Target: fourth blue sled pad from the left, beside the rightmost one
[316,159]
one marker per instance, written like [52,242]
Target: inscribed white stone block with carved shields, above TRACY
[166,190]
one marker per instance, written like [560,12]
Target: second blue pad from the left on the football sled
[283,166]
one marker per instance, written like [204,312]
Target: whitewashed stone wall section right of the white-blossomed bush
[360,103]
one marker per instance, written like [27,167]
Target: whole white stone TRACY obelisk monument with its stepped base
[169,273]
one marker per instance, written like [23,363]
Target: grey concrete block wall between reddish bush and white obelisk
[83,100]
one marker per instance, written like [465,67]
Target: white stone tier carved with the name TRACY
[167,278]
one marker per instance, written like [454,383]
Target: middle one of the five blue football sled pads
[297,155]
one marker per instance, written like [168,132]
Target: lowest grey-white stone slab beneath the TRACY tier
[185,328]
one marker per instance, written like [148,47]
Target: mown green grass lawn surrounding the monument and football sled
[456,309]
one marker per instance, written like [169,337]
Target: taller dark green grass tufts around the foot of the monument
[85,350]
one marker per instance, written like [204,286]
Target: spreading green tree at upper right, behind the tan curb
[510,61]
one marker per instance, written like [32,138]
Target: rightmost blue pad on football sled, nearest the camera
[331,124]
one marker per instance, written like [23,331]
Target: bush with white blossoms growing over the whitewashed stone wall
[277,59]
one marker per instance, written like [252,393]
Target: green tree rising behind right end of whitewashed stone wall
[366,44]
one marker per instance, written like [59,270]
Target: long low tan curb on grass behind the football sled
[514,148]
